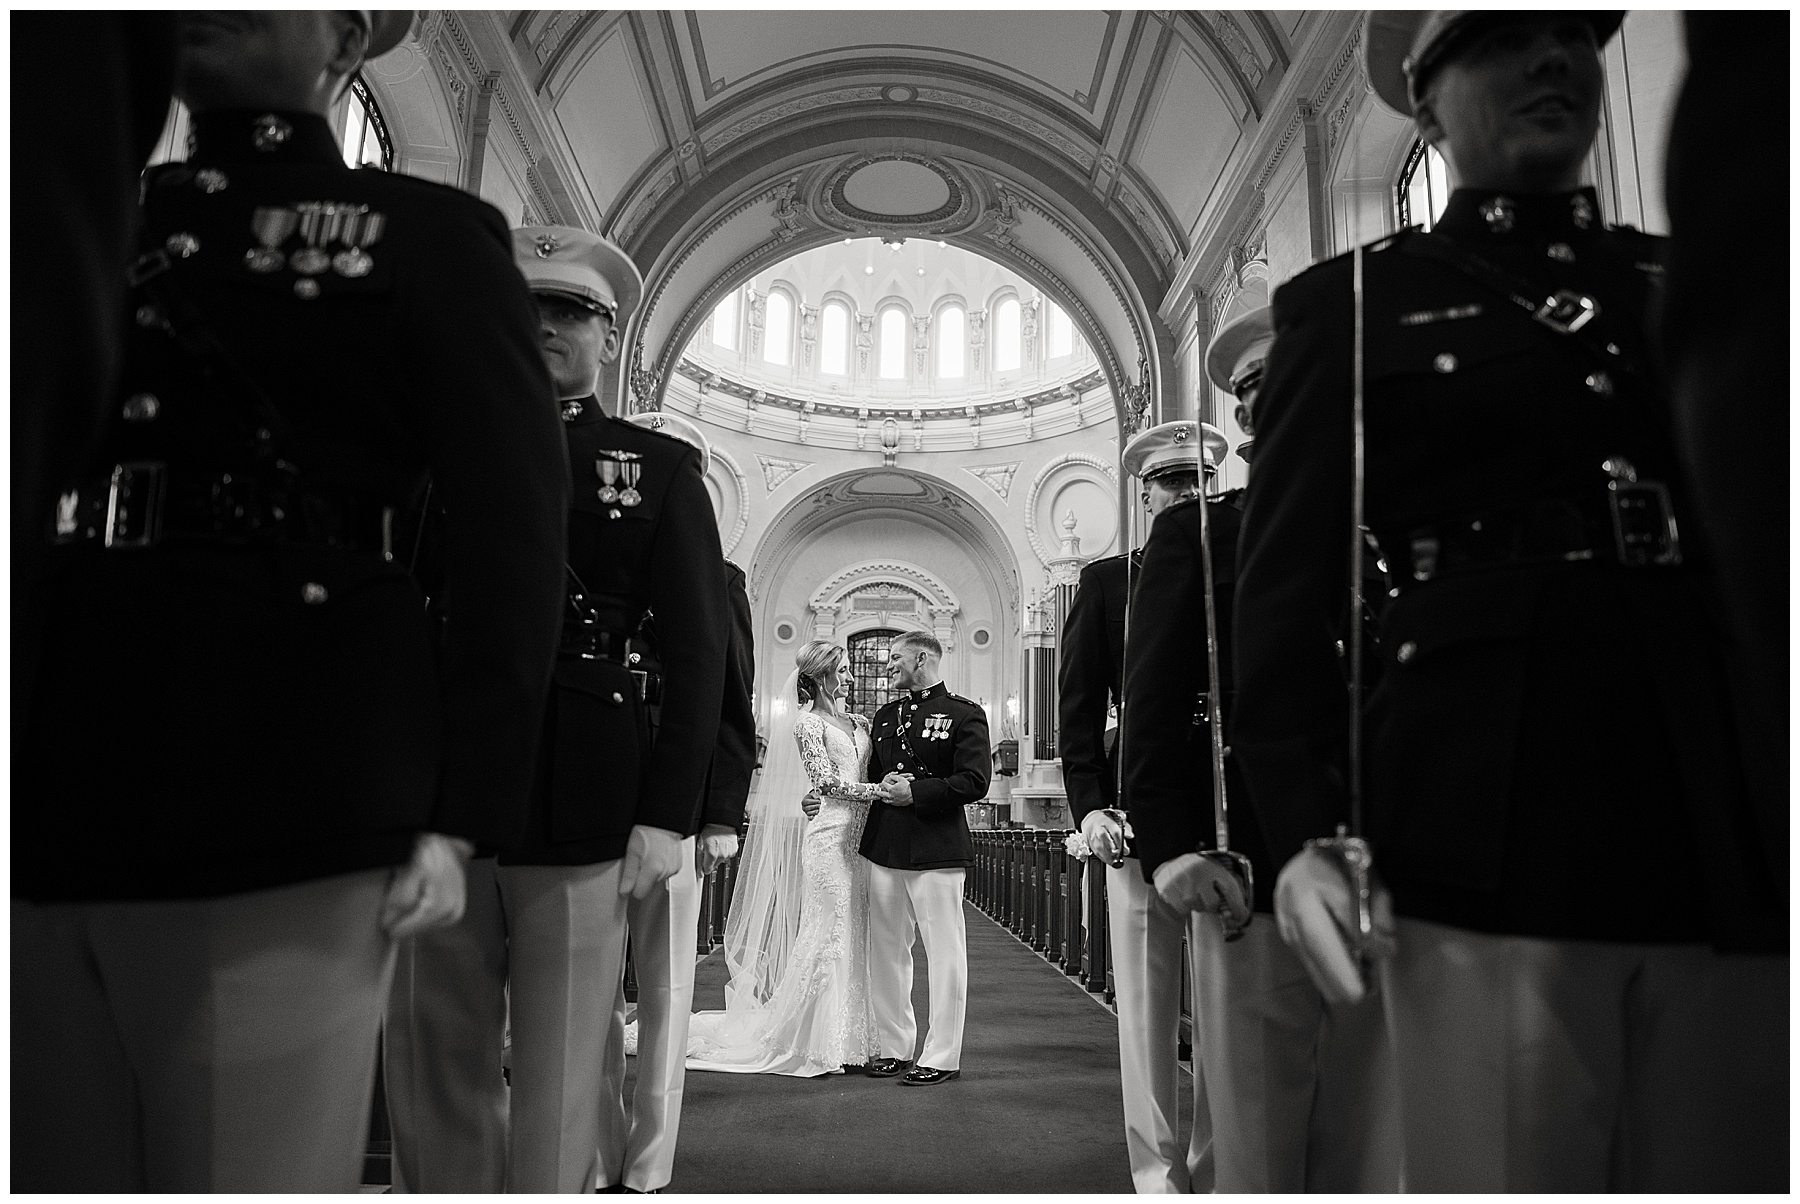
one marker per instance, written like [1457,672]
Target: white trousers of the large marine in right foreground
[1587,1066]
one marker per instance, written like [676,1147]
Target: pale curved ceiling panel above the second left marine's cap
[609,118]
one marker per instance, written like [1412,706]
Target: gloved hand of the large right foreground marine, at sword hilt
[1317,913]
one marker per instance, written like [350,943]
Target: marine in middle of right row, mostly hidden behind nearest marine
[1300,1092]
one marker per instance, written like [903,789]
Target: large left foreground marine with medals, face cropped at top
[244,726]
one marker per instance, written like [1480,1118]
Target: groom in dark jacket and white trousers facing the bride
[931,753]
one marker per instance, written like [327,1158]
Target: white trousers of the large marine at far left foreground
[213,1045]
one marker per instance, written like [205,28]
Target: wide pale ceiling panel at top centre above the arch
[1065,57]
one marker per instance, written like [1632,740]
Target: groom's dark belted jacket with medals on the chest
[942,741]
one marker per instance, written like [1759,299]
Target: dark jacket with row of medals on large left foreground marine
[240,712]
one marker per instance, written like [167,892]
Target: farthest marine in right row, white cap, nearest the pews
[1146,935]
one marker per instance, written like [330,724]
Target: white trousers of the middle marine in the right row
[1304,1095]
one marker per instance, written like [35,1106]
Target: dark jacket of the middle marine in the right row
[1169,764]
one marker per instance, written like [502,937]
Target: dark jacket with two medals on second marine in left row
[629,742]
